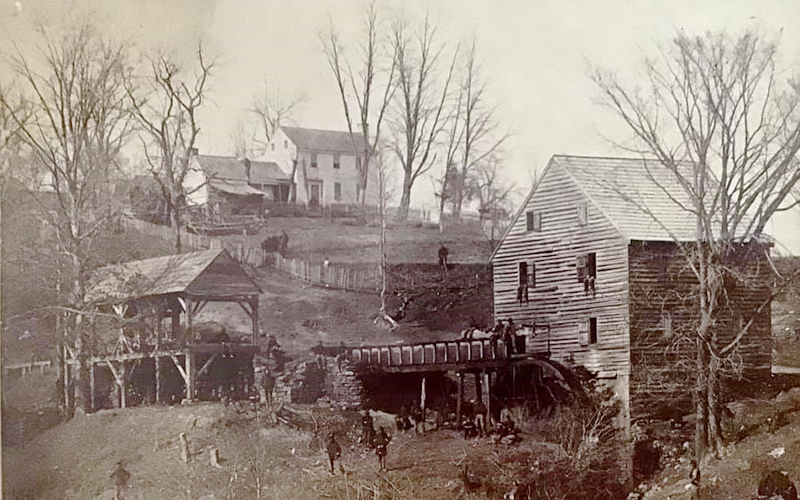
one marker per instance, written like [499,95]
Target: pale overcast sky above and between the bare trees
[535,52]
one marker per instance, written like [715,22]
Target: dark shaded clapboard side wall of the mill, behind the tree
[664,311]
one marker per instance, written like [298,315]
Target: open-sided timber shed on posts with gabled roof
[156,353]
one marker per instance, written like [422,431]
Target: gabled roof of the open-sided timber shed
[208,272]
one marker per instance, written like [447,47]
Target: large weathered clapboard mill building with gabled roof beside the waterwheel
[592,265]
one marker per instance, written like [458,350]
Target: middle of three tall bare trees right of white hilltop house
[419,114]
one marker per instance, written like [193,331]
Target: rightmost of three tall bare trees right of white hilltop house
[478,128]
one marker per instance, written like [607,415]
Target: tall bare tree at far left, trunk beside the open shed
[78,123]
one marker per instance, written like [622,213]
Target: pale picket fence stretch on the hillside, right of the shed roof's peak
[332,276]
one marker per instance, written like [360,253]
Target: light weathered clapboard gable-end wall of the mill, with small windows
[558,299]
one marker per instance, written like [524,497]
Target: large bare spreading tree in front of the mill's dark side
[720,122]
